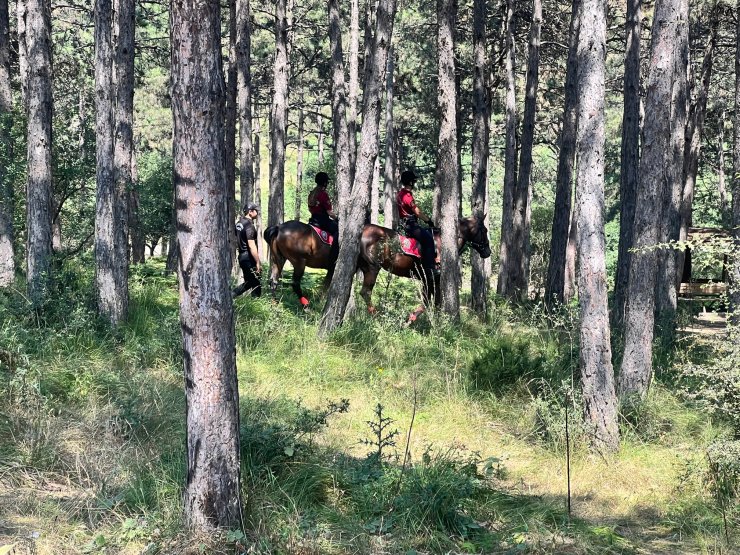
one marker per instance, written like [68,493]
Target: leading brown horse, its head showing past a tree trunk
[380,248]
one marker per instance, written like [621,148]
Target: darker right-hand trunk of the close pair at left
[124,141]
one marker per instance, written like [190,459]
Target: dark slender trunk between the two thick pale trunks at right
[630,156]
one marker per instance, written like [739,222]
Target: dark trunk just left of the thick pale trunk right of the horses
[561,223]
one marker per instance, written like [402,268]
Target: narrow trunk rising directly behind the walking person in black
[248,191]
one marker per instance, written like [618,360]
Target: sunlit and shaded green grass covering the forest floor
[92,435]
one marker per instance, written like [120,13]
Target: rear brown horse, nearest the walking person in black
[298,243]
